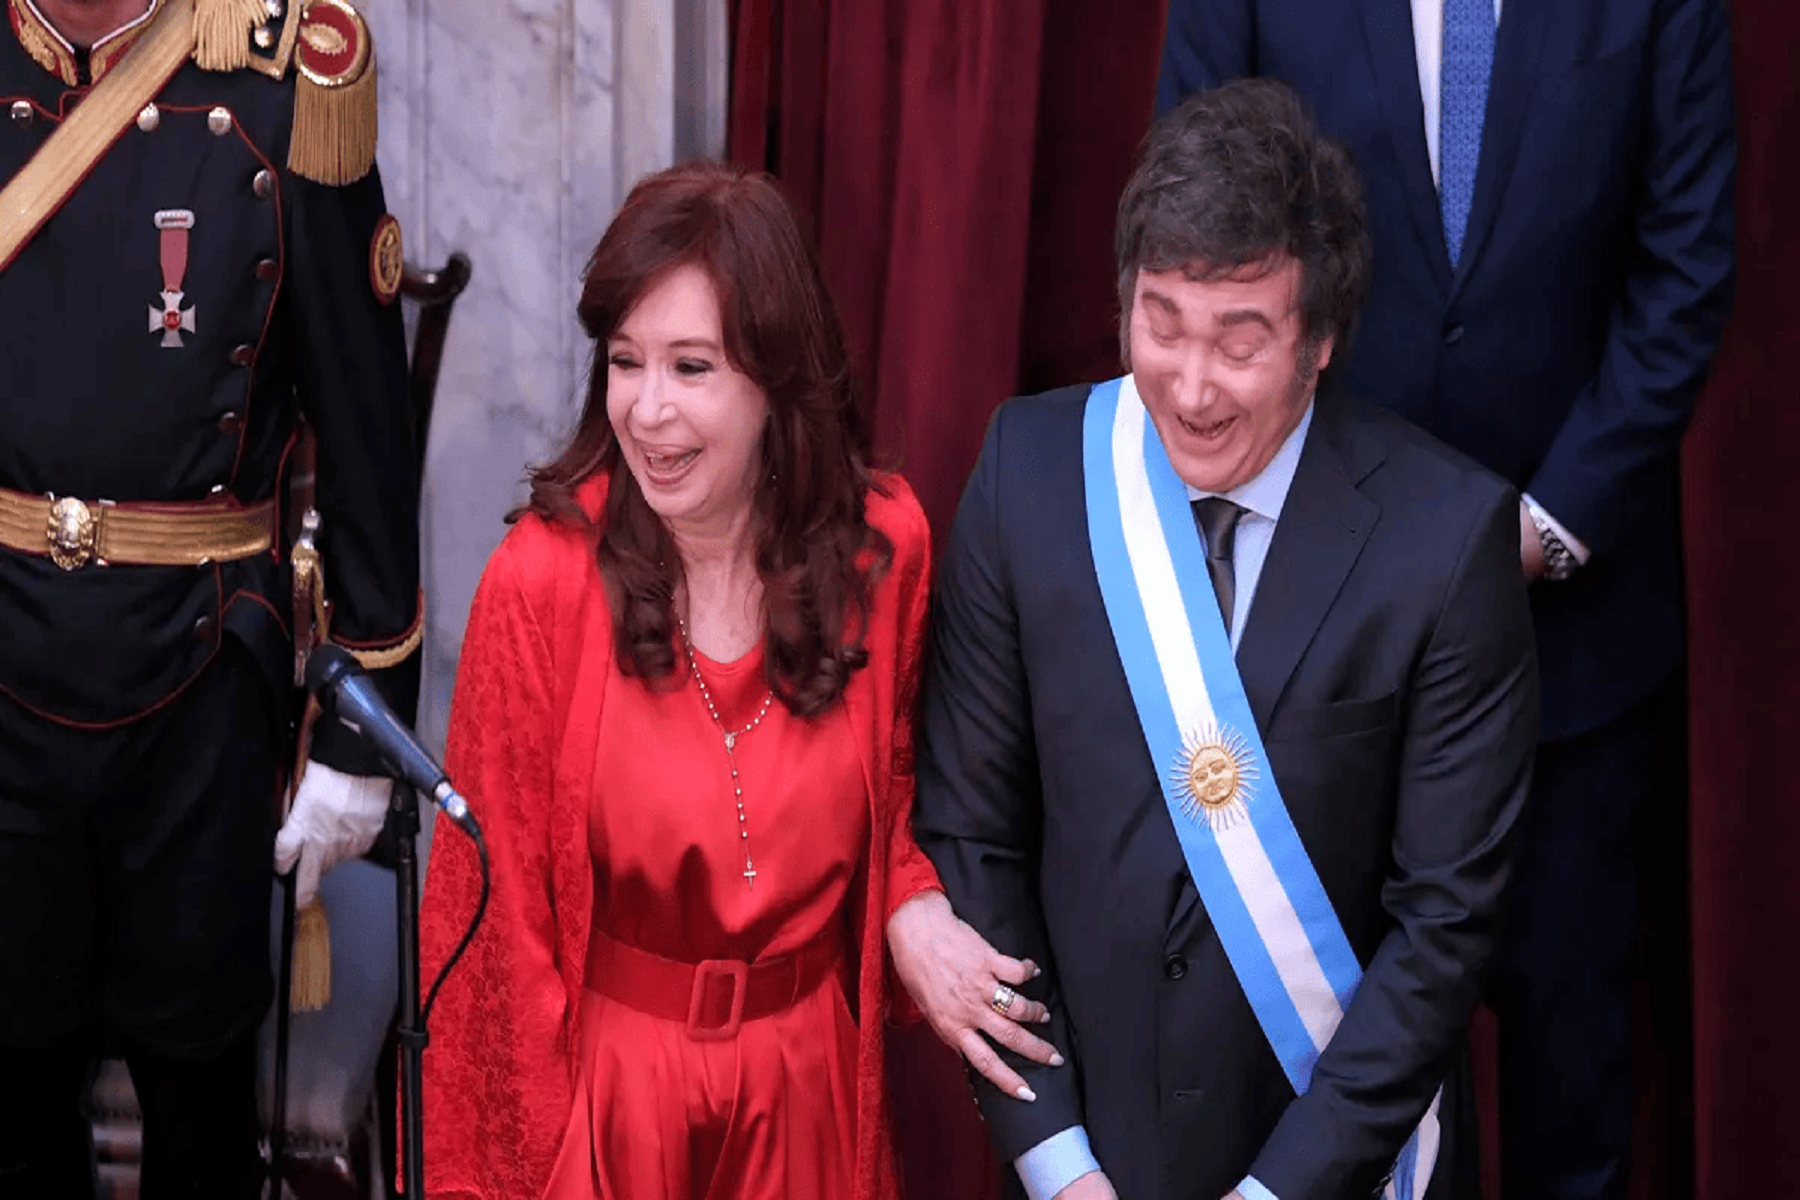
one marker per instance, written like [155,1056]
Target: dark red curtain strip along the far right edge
[1745,656]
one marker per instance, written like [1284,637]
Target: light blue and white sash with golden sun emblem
[1259,886]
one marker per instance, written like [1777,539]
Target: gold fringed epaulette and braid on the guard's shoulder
[332,53]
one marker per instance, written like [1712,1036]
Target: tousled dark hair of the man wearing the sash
[1236,177]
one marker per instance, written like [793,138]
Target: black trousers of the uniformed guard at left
[134,922]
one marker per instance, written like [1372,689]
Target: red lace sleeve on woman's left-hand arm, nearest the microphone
[498,1079]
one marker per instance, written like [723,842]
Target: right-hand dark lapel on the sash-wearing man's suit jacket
[1324,526]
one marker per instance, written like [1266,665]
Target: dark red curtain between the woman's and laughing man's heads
[960,161]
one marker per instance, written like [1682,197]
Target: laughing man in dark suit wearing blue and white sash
[1264,909]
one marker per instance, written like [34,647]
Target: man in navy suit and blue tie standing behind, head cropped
[1551,204]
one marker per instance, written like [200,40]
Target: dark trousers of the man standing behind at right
[1563,987]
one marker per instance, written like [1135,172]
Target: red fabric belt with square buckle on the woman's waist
[712,998]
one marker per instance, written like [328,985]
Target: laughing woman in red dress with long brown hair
[685,717]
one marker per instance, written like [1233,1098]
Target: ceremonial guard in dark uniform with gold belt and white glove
[197,283]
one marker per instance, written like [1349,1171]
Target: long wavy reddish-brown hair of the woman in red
[816,553]
